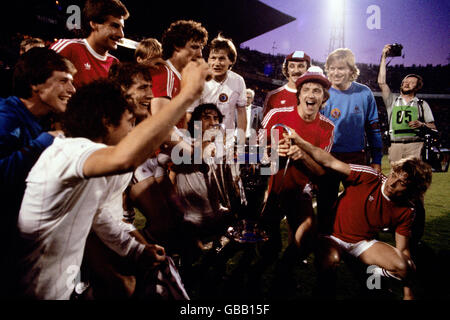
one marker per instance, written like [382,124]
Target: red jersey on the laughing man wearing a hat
[318,132]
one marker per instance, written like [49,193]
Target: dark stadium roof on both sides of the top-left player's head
[240,20]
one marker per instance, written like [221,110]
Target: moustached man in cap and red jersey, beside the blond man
[293,67]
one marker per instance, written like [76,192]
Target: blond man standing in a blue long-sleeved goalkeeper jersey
[353,111]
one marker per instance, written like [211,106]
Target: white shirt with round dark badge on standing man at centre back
[227,96]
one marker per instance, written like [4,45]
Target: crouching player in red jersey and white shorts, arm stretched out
[371,203]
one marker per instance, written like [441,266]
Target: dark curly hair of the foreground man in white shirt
[92,107]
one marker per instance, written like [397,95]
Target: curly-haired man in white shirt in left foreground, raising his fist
[70,189]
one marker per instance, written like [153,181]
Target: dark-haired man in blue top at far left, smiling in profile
[42,84]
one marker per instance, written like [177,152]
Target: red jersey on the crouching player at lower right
[363,210]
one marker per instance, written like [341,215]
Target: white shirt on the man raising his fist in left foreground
[59,209]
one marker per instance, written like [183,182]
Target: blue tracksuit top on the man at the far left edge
[22,140]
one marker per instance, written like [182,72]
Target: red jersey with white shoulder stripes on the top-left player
[90,65]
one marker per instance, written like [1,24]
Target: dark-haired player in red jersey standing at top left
[104,21]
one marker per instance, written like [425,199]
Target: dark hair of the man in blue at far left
[34,67]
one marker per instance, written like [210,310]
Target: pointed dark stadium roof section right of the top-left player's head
[240,20]
